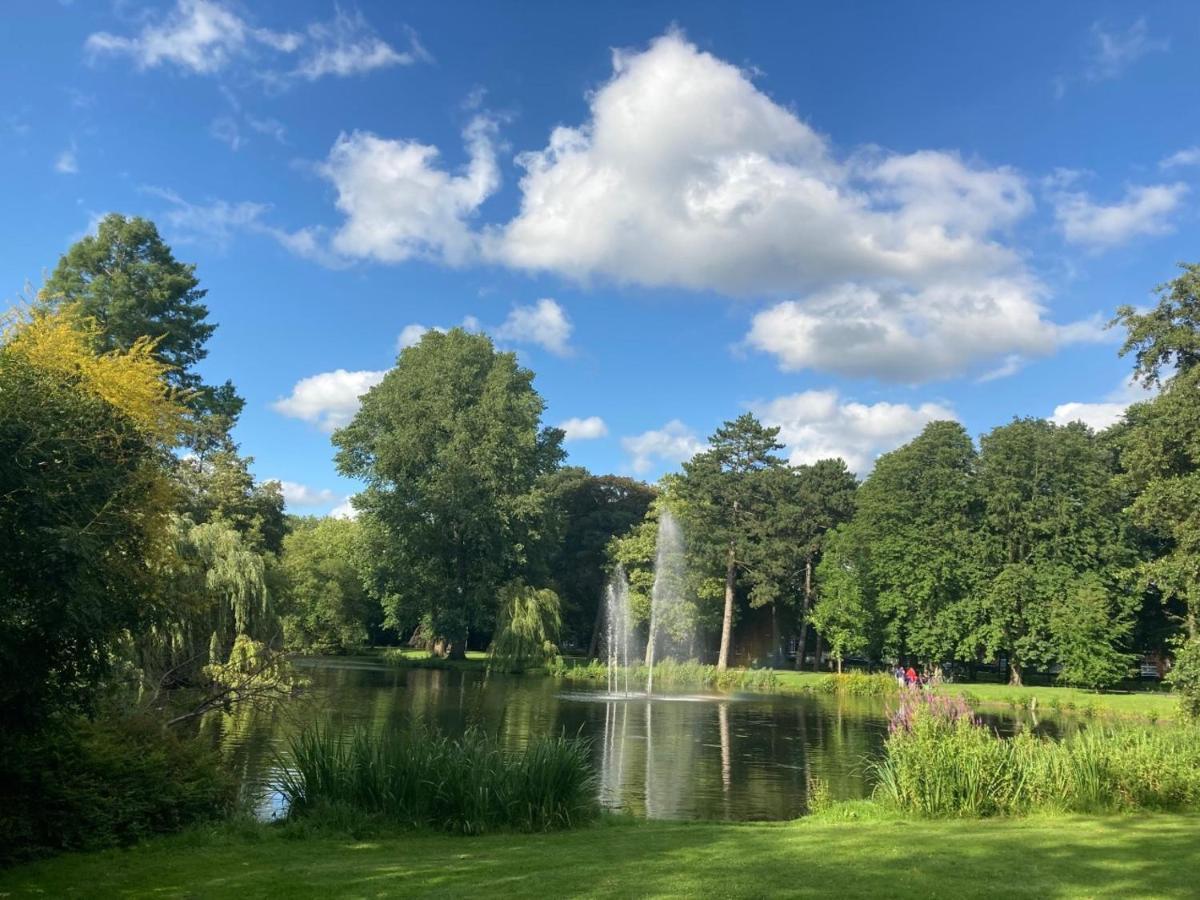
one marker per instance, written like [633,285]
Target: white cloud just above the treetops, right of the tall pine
[818,425]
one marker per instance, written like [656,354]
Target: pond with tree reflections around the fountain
[743,757]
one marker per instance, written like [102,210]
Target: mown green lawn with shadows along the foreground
[1063,857]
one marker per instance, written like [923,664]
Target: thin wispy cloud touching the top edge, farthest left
[202,37]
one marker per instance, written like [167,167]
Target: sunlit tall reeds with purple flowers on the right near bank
[940,763]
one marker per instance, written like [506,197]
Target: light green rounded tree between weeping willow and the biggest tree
[325,607]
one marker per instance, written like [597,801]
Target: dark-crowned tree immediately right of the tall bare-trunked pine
[807,502]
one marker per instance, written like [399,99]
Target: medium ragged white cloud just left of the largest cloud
[400,205]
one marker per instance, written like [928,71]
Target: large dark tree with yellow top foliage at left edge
[85,511]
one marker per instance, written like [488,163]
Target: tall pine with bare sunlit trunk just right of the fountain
[725,495]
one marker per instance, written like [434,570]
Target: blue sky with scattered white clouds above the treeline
[850,219]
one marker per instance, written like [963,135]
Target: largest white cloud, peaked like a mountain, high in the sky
[689,176]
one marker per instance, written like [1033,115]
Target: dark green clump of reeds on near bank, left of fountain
[421,779]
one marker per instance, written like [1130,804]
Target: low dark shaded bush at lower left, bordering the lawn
[87,785]
